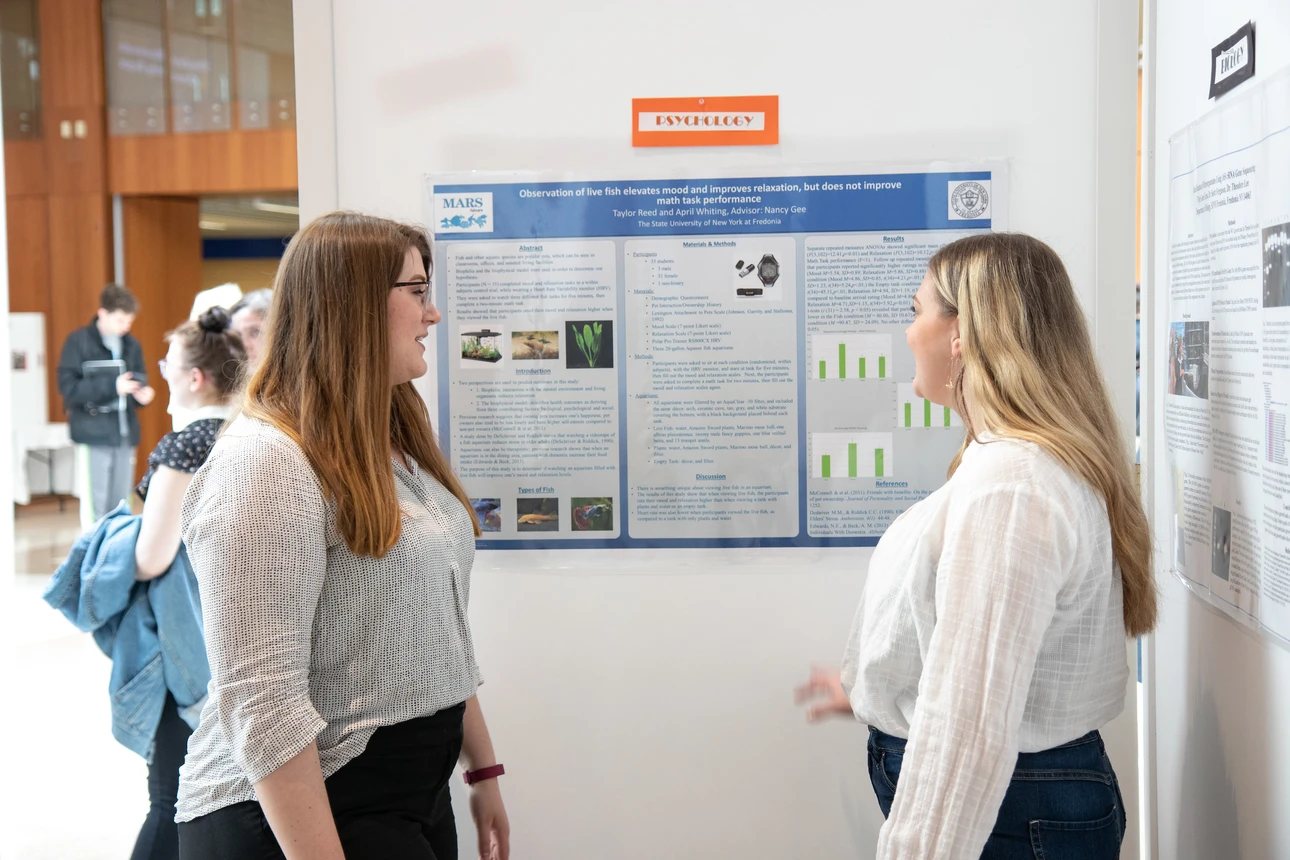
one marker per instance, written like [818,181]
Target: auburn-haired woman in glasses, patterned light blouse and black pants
[333,549]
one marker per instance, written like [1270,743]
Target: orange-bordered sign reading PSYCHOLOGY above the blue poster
[723,121]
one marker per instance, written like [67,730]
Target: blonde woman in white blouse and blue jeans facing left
[990,644]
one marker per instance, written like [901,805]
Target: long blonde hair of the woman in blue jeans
[1030,373]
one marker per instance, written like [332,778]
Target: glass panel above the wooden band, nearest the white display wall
[266,64]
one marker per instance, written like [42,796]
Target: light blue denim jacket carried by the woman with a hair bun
[152,631]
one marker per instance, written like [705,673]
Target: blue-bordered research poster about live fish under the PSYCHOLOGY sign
[711,360]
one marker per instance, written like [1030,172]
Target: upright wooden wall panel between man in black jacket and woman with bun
[163,269]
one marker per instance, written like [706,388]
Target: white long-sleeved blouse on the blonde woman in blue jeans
[991,625]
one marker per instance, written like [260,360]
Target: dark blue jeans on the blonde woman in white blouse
[1062,804]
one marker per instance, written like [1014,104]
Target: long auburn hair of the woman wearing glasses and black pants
[324,378]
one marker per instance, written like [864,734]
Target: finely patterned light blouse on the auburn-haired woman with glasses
[306,640]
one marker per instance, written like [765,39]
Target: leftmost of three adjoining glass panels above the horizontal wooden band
[135,52]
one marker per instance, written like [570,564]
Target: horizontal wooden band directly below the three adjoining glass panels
[203,164]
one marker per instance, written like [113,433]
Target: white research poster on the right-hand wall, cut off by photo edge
[1226,338]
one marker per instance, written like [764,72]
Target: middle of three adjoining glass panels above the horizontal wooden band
[201,86]
